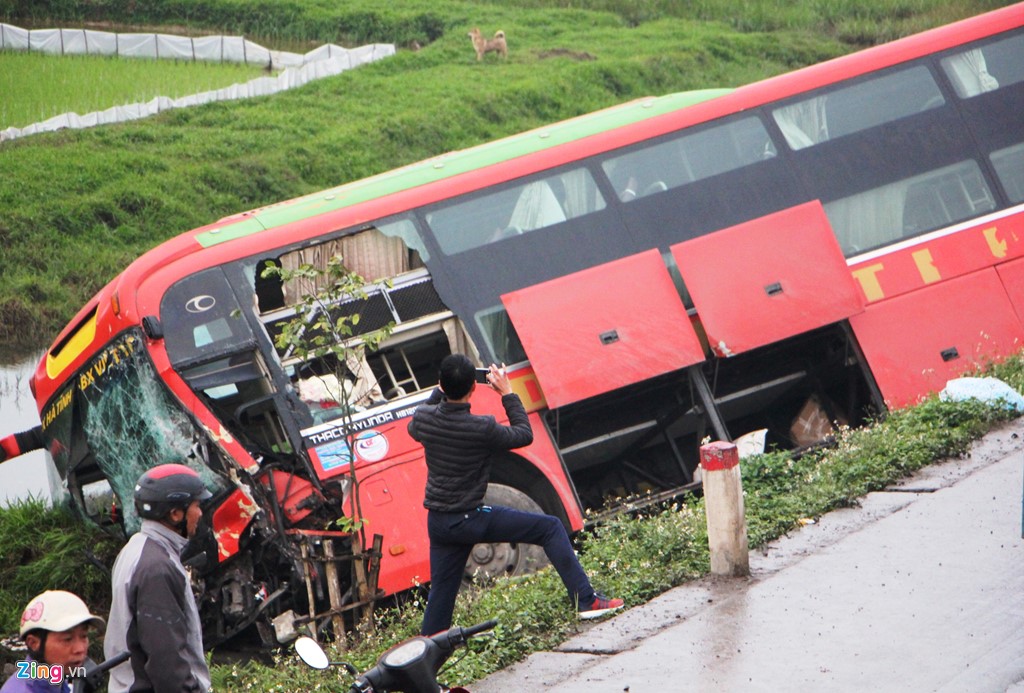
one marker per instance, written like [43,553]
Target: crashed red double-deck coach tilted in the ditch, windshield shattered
[786,257]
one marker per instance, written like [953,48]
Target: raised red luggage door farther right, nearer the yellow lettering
[769,279]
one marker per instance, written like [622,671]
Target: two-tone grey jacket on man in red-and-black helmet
[154,617]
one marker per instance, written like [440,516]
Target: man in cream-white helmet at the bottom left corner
[56,630]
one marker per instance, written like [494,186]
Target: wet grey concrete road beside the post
[920,589]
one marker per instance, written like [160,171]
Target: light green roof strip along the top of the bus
[456,163]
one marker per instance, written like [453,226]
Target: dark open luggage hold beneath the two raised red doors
[645,442]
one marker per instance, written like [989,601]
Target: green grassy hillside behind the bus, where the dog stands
[76,207]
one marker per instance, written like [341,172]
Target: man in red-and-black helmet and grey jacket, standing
[153,612]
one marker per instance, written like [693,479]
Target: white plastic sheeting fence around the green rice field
[298,69]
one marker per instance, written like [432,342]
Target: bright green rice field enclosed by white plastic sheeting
[49,85]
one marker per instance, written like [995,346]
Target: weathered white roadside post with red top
[724,505]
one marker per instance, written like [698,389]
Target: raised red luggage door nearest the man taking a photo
[604,328]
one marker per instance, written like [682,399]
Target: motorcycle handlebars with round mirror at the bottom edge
[410,667]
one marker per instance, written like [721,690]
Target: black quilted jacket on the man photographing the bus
[459,448]
